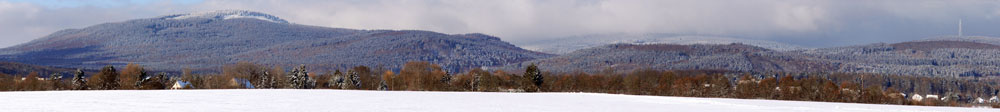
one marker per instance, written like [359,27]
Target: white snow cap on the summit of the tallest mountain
[229,14]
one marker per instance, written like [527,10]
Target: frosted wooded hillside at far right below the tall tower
[923,58]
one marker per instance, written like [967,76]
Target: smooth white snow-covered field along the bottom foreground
[286,100]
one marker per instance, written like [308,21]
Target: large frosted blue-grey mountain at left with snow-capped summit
[208,40]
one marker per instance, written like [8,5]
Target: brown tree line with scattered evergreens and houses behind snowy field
[424,76]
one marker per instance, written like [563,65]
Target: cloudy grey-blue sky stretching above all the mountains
[811,23]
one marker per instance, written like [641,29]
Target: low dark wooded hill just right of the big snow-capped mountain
[727,57]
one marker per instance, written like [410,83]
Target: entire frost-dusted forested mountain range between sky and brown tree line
[208,41]
